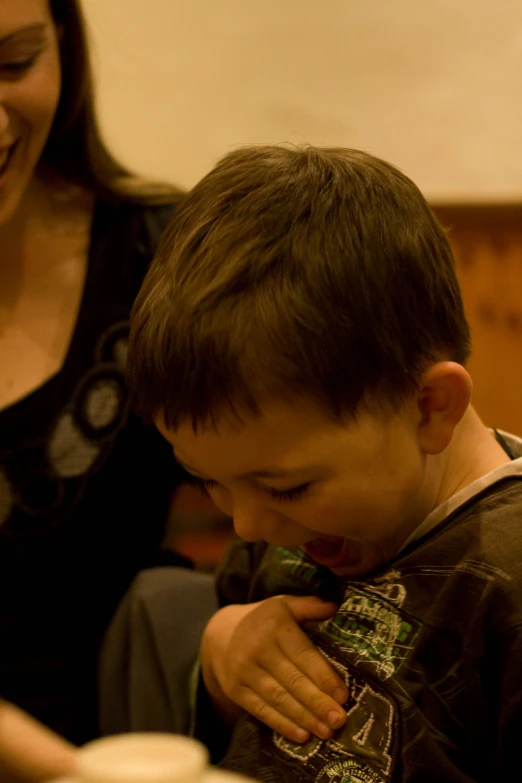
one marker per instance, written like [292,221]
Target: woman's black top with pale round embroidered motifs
[84,490]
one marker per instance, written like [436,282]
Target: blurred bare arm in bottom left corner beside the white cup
[29,751]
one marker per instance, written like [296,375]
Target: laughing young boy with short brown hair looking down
[300,340]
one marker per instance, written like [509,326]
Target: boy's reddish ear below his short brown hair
[443,399]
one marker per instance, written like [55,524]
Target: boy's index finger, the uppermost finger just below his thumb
[297,647]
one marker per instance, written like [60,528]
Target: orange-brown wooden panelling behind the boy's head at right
[487,242]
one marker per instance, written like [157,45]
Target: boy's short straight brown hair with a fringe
[294,271]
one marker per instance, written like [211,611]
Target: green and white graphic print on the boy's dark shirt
[371,631]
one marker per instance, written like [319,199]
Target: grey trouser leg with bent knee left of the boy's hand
[150,650]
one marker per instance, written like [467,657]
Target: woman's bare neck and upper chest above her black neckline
[43,268]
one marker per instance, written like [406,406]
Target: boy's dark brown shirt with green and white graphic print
[430,649]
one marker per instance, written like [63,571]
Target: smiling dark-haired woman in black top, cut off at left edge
[84,488]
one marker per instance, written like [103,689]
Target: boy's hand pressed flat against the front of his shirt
[257,657]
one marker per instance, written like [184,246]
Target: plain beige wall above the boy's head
[433,85]
